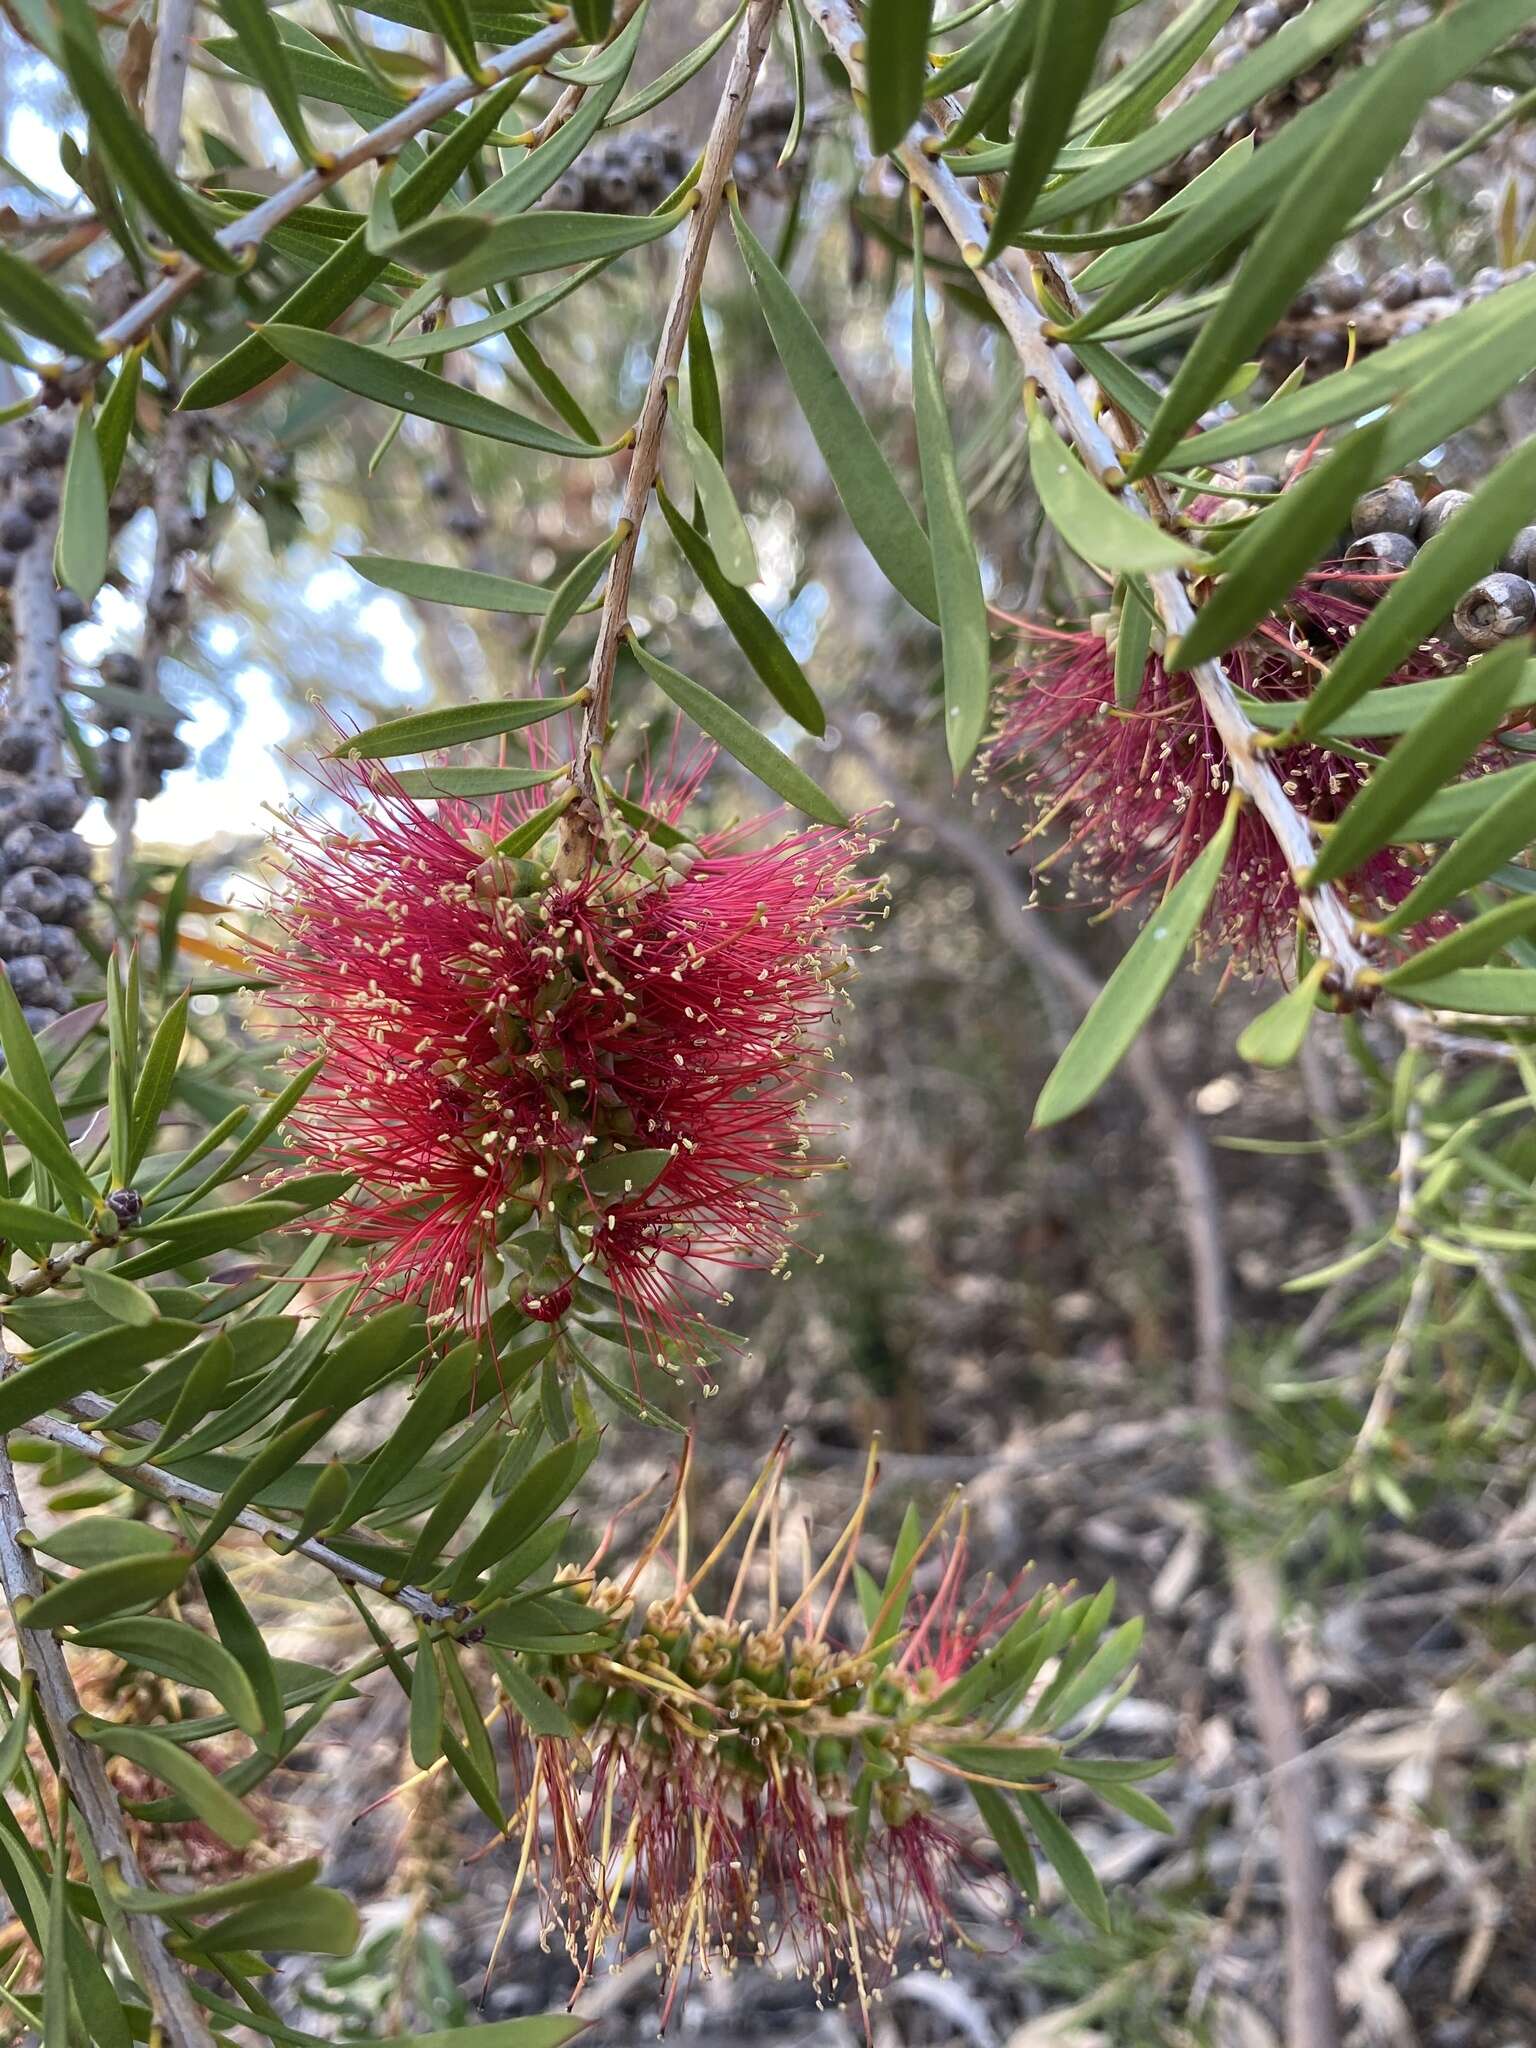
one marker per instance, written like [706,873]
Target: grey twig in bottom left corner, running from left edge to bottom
[165,1986]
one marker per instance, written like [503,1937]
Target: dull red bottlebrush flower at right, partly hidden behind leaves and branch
[1142,794]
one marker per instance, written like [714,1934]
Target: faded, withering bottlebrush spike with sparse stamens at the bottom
[738,1785]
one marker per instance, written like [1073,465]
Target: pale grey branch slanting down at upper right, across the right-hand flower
[1103,454]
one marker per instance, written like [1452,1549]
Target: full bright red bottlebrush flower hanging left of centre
[601,1082]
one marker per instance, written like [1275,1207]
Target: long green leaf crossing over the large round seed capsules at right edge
[1428,591]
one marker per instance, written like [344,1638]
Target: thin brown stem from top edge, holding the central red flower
[646,462]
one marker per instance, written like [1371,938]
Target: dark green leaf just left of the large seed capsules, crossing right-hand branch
[1265,564]
